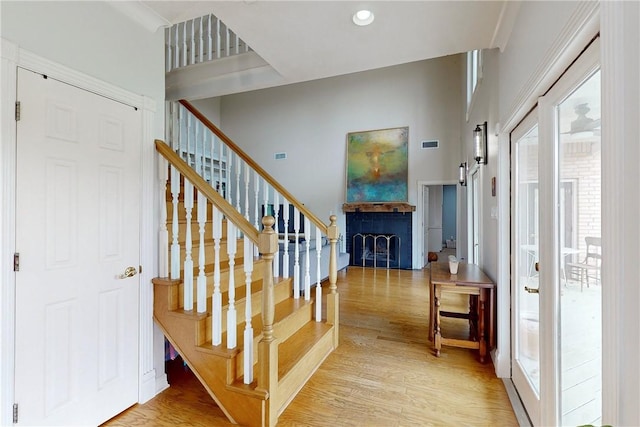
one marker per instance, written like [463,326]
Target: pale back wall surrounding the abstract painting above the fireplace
[310,121]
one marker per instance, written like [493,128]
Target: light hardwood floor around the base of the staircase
[383,373]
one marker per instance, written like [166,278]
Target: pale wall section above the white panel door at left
[93,38]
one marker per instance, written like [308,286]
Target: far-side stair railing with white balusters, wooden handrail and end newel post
[206,147]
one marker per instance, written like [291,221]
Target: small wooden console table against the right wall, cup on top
[470,280]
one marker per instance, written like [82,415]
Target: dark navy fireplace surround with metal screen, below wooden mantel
[379,239]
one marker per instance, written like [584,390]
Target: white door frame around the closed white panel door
[13,57]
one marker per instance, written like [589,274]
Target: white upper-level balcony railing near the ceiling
[201,39]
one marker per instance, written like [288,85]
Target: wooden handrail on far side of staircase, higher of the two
[272,181]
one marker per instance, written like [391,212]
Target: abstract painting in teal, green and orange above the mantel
[377,166]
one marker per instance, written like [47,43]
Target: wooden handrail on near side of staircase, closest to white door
[212,195]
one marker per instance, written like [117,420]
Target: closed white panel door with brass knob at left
[77,232]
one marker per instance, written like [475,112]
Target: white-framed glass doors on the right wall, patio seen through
[556,247]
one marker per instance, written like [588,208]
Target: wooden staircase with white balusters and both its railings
[241,326]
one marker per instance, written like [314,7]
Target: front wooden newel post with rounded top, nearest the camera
[267,347]
